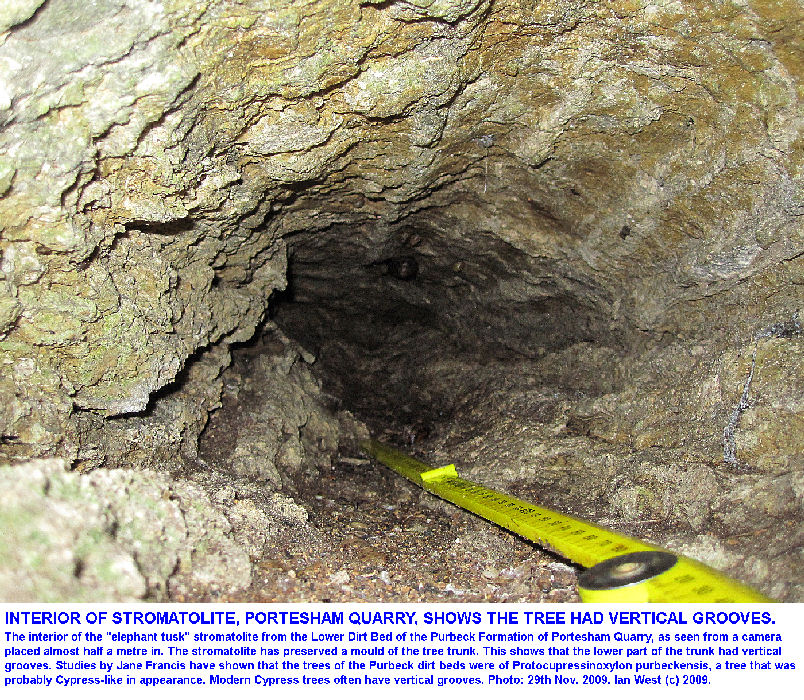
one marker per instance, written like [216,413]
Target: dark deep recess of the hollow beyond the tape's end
[400,319]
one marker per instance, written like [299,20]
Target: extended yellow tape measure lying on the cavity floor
[619,568]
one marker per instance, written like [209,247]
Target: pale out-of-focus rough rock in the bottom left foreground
[111,535]
